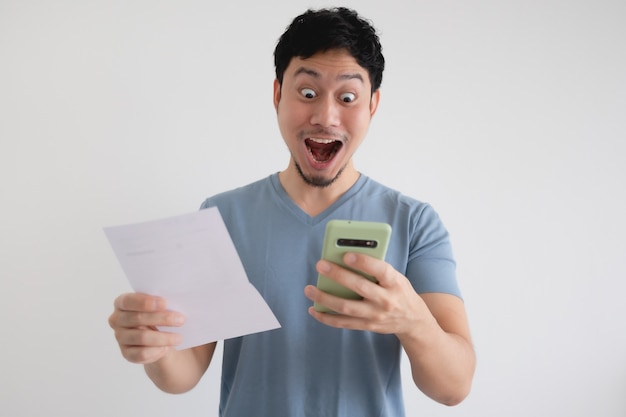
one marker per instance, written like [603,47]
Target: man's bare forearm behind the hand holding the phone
[442,364]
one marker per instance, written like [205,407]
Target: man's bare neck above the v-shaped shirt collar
[314,199]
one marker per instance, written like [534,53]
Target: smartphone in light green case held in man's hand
[341,236]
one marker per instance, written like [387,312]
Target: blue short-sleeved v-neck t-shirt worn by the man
[307,369]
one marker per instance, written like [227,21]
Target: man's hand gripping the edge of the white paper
[135,320]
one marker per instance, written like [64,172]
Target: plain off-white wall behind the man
[509,117]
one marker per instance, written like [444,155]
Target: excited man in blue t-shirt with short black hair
[329,68]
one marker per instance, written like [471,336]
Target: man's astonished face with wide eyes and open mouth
[324,109]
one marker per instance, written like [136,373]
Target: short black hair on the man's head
[332,28]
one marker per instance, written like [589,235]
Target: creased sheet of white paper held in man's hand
[191,261]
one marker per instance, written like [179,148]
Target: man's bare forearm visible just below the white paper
[180,371]
